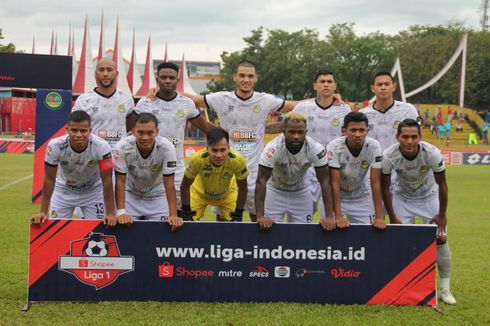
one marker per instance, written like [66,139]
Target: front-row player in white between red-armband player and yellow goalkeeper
[145,164]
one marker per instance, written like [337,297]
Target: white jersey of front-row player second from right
[353,169]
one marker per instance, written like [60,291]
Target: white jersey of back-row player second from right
[324,124]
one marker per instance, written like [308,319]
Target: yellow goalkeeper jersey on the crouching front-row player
[215,181]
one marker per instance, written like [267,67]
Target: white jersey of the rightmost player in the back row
[383,125]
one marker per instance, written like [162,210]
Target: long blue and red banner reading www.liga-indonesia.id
[82,260]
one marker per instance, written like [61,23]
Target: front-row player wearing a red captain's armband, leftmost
[85,178]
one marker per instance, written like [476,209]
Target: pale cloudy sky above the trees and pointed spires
[204,29]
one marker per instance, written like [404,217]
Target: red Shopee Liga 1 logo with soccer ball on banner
[96,260]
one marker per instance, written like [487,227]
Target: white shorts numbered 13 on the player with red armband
[91,203]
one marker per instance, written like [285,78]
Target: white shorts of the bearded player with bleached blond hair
[296,204]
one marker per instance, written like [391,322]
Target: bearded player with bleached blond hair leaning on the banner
[285,161]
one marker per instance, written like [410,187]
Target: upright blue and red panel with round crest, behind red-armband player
[52,110]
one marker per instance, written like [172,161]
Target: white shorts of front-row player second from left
[147,208]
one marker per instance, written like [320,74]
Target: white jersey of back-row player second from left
[172,118]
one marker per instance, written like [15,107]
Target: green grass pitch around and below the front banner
[469,229]
